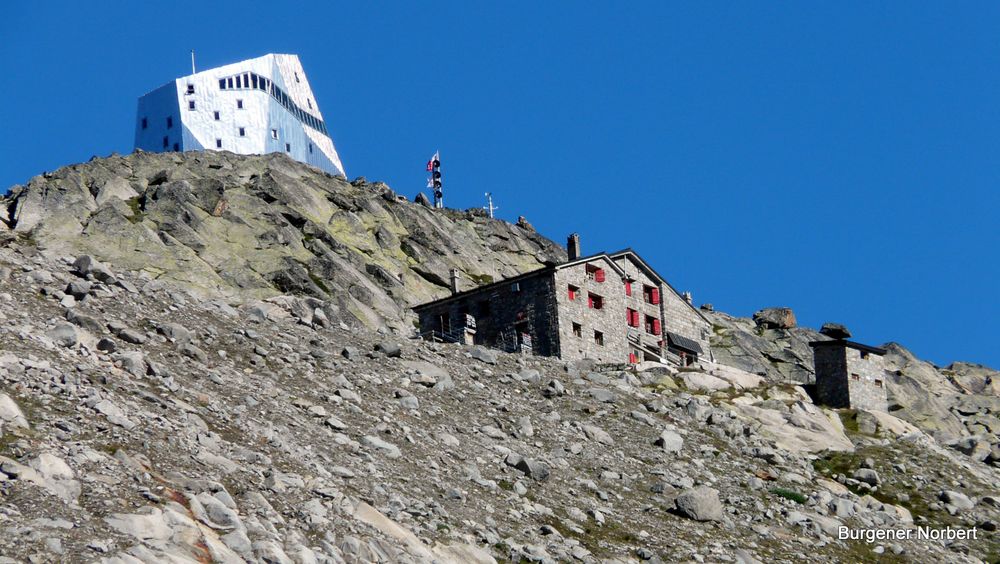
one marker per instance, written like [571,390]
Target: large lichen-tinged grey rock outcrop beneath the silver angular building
[242,228]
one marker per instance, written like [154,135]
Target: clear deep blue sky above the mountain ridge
[840,159]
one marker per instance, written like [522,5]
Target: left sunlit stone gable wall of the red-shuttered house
[609,320]
